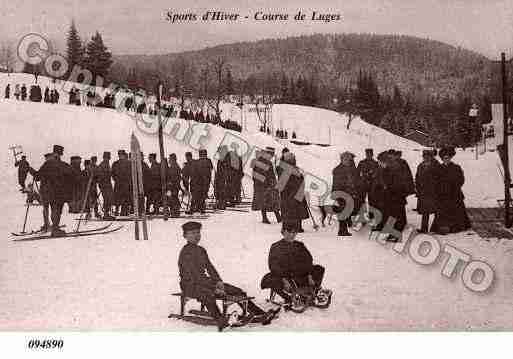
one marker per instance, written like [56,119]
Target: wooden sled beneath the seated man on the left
[202,317]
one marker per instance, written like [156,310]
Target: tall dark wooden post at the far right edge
[507,175]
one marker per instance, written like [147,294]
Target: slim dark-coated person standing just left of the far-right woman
[426,184]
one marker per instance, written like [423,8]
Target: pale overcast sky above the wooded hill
[139,26]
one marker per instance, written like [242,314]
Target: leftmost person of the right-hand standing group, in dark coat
[346,179]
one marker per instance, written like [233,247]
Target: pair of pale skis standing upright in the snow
[138,189]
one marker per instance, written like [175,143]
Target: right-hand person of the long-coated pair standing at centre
[292,199]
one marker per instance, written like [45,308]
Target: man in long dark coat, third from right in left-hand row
[201,176]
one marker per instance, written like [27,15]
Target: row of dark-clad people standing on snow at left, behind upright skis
[80,183]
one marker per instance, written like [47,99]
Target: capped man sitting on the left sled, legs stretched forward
[200,280]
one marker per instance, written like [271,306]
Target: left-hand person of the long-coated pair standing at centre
[266,197]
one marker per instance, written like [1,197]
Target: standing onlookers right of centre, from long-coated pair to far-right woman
[374,185]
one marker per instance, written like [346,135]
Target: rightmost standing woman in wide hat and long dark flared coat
[451,215]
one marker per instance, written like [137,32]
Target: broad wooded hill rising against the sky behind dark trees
[419,67]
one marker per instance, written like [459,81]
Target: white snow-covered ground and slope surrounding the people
[114,282]
